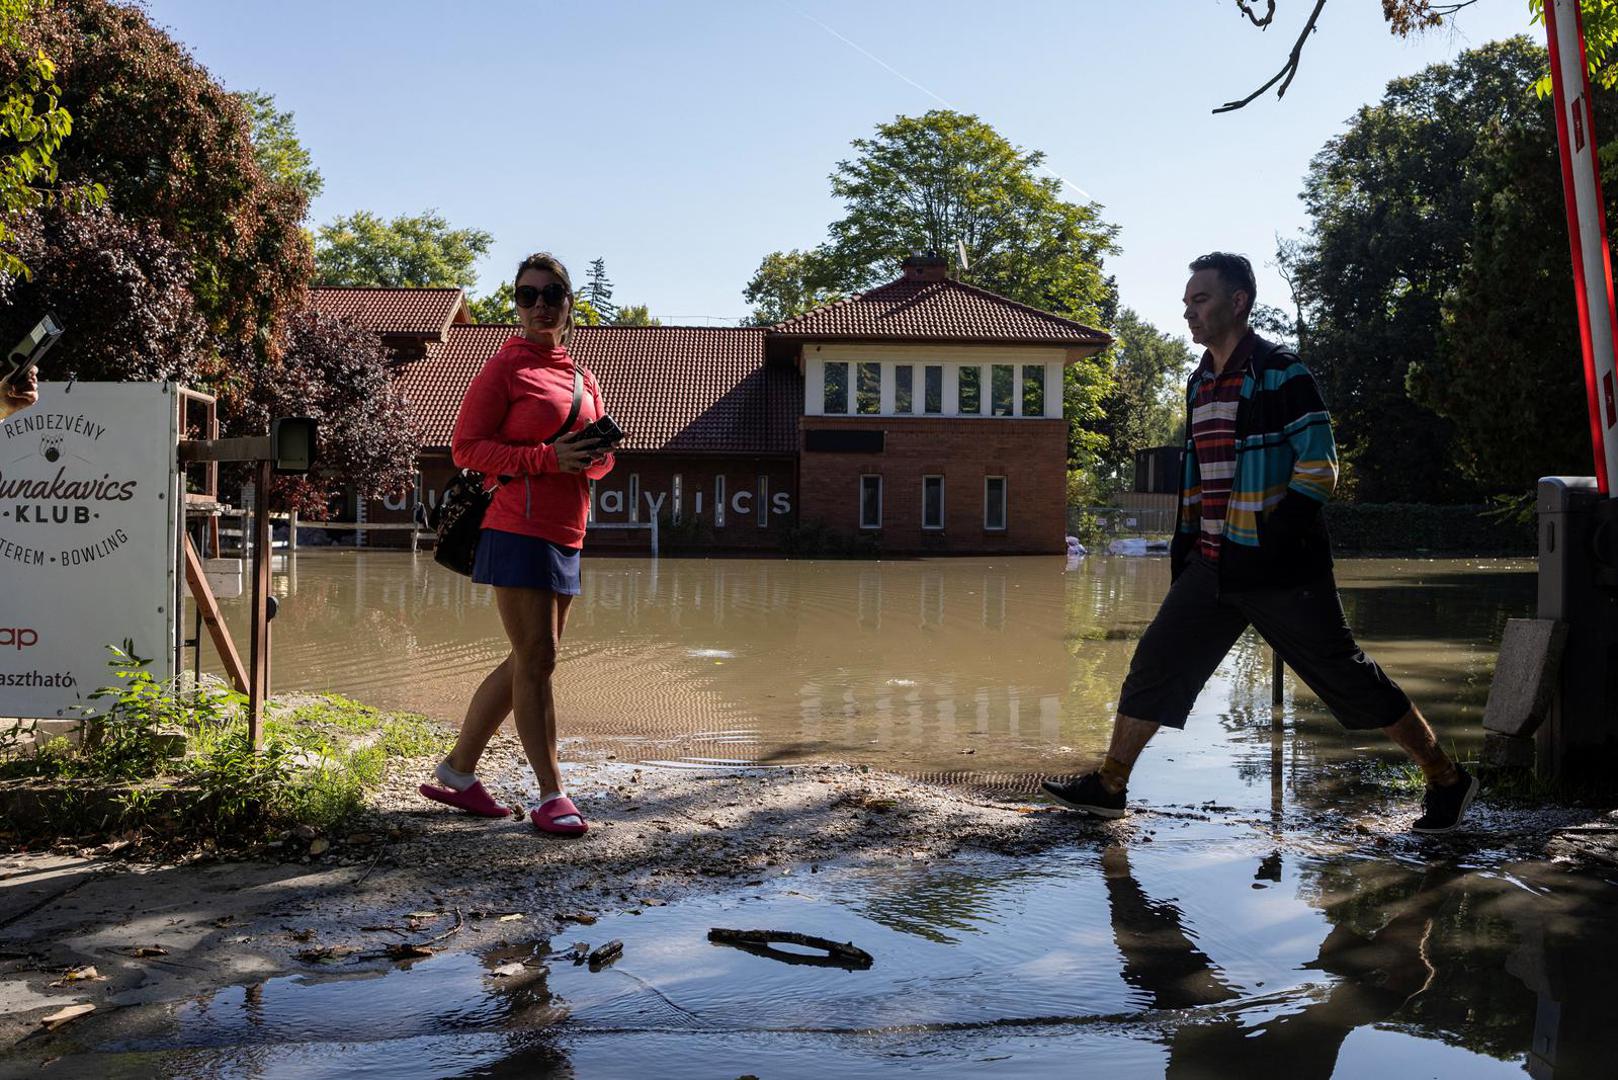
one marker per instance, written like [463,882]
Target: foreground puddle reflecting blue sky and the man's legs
[1197,950]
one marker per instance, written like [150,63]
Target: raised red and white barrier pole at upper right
[1593,273]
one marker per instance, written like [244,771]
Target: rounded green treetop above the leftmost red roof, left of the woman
[410,252]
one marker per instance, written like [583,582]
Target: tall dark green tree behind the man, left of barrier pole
[1394,205]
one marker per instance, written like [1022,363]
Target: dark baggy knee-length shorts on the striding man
[1198,626]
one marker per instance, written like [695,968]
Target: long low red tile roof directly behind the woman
[672,389]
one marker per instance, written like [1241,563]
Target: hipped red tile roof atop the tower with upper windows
[913,310]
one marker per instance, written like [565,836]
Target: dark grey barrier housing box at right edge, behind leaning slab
[1578,585]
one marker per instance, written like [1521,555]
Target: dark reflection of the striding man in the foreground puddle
[1378,976]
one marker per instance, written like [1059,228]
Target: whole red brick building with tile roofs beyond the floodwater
[925,415]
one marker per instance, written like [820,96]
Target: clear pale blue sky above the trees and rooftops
[684,142]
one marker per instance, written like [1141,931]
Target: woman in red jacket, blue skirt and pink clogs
[520,423]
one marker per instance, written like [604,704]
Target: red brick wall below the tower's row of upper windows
[1030,454]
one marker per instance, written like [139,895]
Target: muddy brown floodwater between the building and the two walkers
[964,670]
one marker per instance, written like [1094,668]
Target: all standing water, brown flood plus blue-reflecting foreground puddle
[1232,932]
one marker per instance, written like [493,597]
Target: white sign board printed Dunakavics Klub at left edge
[88,487]
